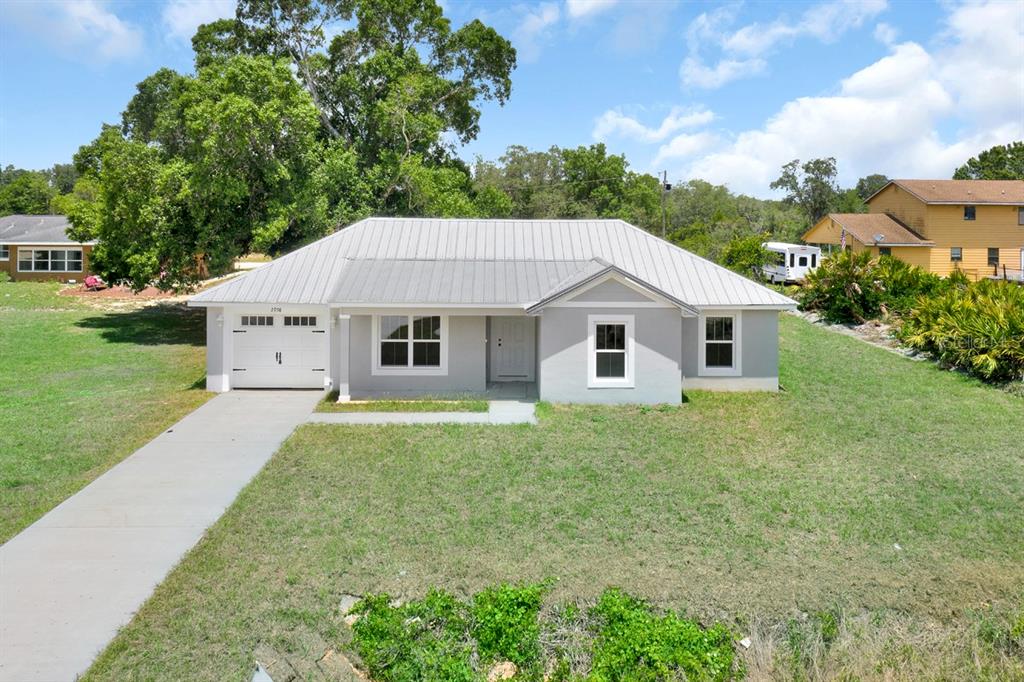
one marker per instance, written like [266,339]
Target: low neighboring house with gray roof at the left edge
[37,248]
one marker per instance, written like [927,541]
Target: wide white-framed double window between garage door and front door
[410,345]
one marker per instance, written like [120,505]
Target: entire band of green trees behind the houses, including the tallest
[282,137]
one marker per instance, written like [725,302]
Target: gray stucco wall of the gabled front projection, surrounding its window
[564,362]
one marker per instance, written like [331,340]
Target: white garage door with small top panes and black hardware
[280,352]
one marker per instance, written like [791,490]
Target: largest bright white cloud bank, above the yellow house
[886,118]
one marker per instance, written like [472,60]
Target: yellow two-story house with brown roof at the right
[976,227]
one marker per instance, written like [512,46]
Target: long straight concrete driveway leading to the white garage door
[71,580]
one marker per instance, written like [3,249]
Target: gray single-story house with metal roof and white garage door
[579,311]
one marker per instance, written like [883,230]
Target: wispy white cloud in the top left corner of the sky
[84,30]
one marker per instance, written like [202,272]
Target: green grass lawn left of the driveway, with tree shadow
[81,389]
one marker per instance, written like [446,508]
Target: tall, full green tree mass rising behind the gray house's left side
[281,137]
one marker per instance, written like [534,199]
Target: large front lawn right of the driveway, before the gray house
[756,509]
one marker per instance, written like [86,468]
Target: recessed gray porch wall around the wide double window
[466,364]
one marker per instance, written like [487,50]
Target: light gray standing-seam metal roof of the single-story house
[483,263]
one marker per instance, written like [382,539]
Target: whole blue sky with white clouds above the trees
[723,92]
